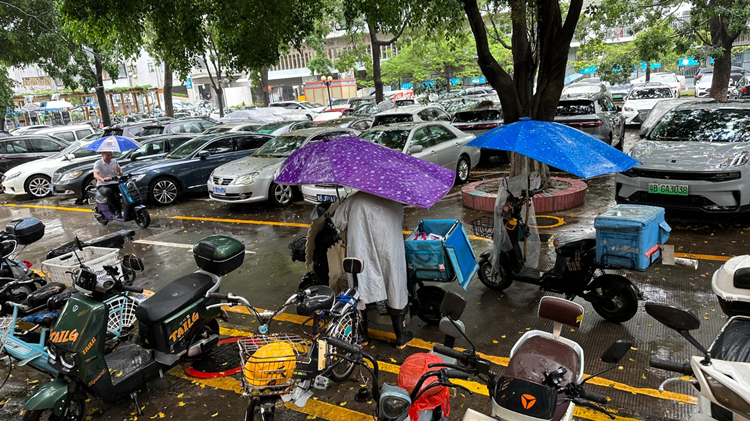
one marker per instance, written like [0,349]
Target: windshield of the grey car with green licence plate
[704,125]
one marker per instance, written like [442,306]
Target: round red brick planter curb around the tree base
[573,196]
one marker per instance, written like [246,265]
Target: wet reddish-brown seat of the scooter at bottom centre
[538,356]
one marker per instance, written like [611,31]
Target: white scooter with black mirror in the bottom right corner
[722,375]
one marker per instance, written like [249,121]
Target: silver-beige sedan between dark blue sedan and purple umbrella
[250,179]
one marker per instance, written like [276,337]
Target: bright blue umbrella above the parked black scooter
[557,145]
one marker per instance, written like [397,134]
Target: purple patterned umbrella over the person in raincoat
[367,166]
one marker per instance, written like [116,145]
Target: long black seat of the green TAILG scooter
[173,298]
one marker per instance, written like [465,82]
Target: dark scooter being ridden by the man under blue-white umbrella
[132,209]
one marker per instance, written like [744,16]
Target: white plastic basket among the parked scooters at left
[55,270]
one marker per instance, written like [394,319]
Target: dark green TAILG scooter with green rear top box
[175,324]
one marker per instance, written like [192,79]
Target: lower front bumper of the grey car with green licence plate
[706,196]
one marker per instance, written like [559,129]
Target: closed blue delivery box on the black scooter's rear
[628,236]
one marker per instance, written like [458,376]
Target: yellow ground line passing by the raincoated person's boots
[502,361]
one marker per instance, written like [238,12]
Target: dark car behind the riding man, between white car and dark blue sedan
[74,179]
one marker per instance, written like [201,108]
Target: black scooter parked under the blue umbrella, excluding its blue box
[576,272]
